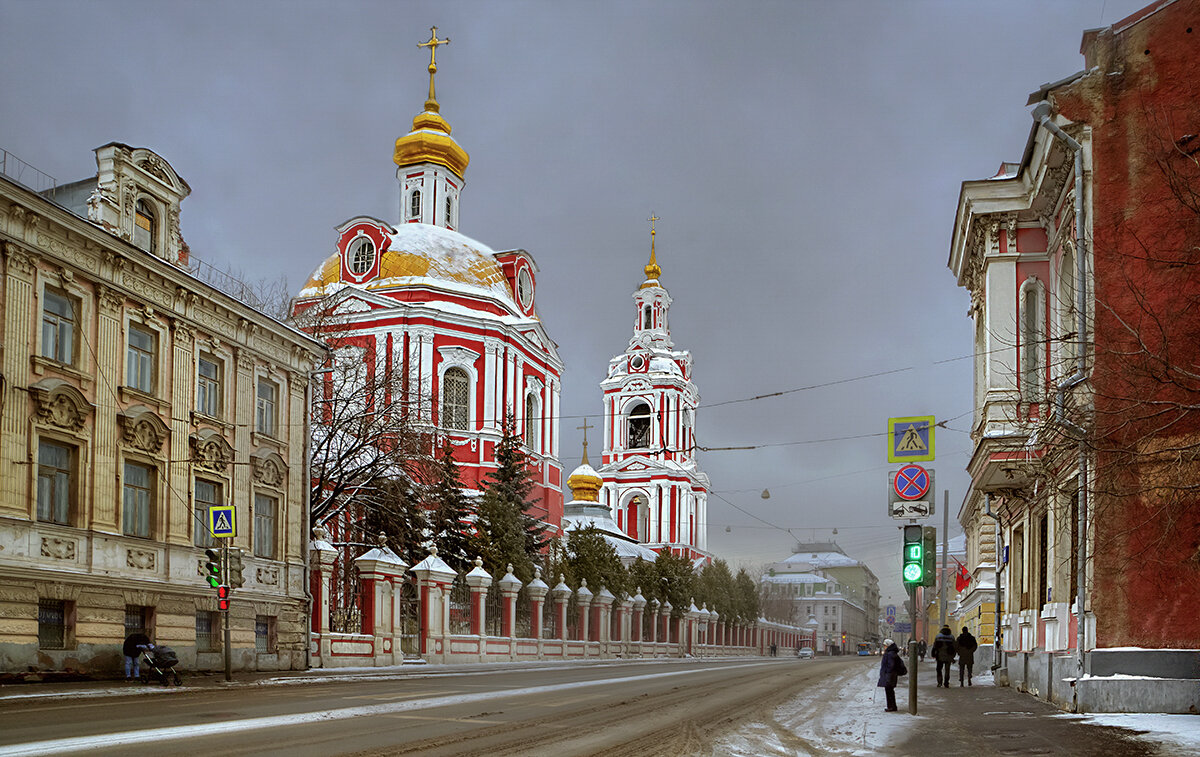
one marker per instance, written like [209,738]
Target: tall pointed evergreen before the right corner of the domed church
[507,531]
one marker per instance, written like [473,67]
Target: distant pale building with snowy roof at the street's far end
[823,582]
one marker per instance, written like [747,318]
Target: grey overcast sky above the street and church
[805,158]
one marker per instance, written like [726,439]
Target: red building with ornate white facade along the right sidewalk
[1081,263]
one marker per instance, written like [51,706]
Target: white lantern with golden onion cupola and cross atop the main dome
[430,165]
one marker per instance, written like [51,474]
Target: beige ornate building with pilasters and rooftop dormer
[134,398]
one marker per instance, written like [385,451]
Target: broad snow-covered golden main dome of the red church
[422,255]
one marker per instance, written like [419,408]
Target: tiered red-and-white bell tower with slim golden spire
[652,483]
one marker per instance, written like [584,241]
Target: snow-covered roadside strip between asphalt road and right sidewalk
[843,716]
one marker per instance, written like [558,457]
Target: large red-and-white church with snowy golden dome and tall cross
[458,320]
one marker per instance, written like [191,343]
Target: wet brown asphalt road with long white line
[673,707]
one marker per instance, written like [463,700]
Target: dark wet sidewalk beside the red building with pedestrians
[985,720]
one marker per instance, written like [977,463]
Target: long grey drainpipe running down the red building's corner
[1042,116]
